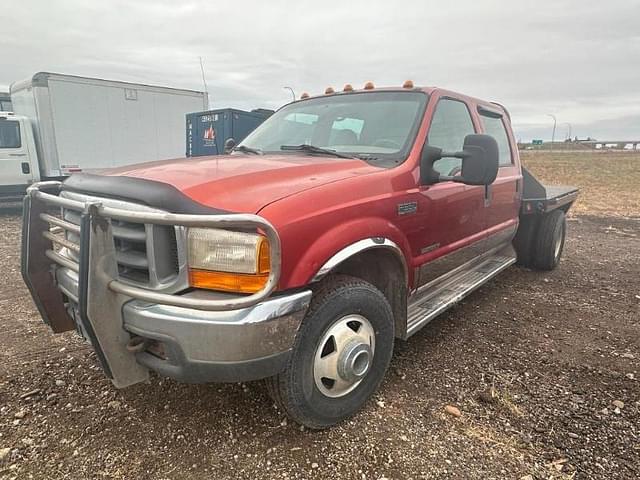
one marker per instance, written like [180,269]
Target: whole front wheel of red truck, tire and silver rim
[340,356]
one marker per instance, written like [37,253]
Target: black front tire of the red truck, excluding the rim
[295,390]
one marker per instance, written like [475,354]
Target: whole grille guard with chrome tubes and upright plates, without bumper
[101,294]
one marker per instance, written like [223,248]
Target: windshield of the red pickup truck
[377,126]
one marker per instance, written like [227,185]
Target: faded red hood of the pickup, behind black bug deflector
[246,183]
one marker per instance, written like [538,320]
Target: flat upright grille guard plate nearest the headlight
[100,308]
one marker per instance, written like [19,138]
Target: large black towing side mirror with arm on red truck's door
[480,157]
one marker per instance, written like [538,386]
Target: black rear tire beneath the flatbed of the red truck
[549,240]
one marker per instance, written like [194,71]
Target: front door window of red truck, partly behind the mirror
[451,122]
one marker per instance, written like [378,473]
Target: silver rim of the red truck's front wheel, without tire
[344,355]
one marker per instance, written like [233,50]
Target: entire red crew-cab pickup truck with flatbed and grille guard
[344,222]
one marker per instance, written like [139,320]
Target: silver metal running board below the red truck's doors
[426,305]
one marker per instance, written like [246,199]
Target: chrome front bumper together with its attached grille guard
[195,337]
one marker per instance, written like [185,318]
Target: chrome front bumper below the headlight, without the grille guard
[236,345]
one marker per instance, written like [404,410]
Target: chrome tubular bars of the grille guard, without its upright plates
[99,213]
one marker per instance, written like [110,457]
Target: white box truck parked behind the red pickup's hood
[85,124]
